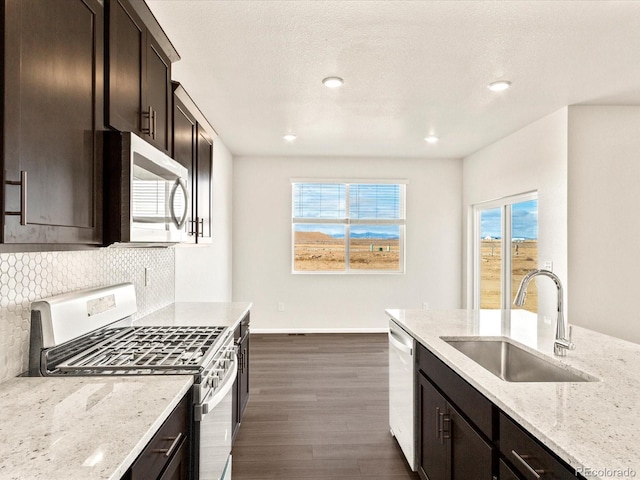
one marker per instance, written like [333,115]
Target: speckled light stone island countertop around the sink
[593,426]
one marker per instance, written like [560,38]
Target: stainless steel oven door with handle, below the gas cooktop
[214,422]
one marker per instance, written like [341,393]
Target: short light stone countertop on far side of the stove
[219,314]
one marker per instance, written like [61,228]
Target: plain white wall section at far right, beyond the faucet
[604,225]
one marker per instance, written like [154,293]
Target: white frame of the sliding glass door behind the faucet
[504,204]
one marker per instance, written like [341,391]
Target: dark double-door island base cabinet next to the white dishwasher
[449,447]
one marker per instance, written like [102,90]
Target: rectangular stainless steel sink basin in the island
[513,363]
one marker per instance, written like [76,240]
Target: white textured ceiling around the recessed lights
[411,68]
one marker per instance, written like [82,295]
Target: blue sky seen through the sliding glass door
[524,221]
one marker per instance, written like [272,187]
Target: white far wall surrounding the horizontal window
[262,245]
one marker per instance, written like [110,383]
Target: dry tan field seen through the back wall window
[315,251]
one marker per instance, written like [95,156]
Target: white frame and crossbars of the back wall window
[347,222]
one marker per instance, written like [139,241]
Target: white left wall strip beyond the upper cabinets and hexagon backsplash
[203,272]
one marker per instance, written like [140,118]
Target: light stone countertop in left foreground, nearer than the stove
[89,428]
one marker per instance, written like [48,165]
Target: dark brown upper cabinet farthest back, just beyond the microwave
[193,147]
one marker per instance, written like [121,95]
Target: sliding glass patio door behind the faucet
[505,249]
